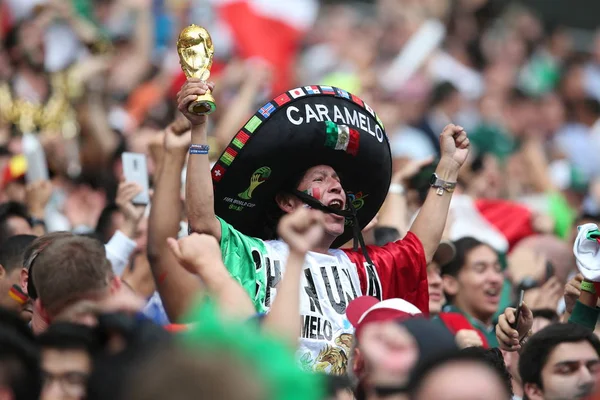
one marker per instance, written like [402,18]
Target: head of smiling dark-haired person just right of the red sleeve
[473,285]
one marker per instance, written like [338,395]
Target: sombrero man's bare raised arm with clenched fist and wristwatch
[429,224]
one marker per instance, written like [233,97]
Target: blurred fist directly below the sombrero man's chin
[302,229]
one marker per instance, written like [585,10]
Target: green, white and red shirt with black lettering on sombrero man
[330,281]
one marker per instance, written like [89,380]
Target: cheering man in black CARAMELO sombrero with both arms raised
[324,148]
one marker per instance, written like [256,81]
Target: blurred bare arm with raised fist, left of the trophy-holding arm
[176,286]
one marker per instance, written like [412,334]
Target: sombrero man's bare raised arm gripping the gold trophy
[198,189]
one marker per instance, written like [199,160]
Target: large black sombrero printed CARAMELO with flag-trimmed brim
[297,130]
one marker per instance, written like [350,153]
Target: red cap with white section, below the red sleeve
[366,309]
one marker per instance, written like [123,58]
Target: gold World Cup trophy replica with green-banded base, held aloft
[195,49]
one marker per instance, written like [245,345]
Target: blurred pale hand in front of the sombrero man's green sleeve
[196,252]
